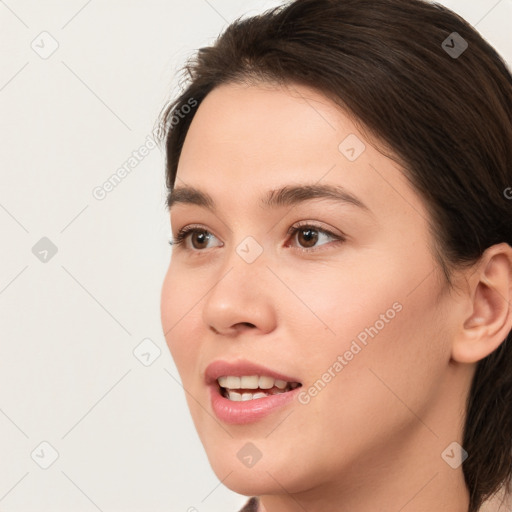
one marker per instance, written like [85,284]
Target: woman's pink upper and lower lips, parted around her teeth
[250,410]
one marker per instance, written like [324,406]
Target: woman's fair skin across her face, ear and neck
[372,439]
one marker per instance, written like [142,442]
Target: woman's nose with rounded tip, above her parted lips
[241,297]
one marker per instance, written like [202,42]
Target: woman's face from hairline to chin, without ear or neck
[358,317]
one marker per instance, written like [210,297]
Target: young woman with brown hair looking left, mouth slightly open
[338,302]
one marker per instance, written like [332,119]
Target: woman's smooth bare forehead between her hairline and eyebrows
[246,140]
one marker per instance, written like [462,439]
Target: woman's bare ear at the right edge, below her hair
[489,301]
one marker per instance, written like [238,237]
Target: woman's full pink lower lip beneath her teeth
[247,411]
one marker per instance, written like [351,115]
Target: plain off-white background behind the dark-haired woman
[69,326]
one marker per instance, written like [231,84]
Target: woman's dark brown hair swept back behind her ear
[396,66]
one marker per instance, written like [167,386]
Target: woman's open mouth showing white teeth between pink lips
[253,387]
